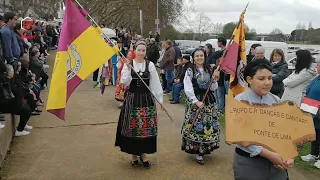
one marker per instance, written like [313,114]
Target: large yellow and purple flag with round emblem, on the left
[81,51]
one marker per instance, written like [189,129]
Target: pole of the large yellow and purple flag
[129,65]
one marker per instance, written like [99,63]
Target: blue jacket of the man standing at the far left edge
[11,48]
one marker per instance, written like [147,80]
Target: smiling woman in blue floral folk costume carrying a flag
[202,137]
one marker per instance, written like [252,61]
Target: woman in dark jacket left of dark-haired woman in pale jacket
[279,71]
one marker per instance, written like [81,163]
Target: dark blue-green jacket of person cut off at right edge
[313,92]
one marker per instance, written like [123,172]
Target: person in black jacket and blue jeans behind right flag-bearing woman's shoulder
[177,86]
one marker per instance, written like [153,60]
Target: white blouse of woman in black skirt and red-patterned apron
[154,84]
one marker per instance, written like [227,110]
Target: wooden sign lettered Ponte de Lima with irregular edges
[279,128]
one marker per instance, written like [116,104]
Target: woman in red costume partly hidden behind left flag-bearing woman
[121,88]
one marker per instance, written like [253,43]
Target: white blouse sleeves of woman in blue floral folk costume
[188,87]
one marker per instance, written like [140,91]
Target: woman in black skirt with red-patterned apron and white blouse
[137,125]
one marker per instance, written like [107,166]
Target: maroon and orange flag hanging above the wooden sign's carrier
[235,58]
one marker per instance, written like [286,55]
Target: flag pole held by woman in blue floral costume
[216,74]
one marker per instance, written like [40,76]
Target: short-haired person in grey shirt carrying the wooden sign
[255,162]
